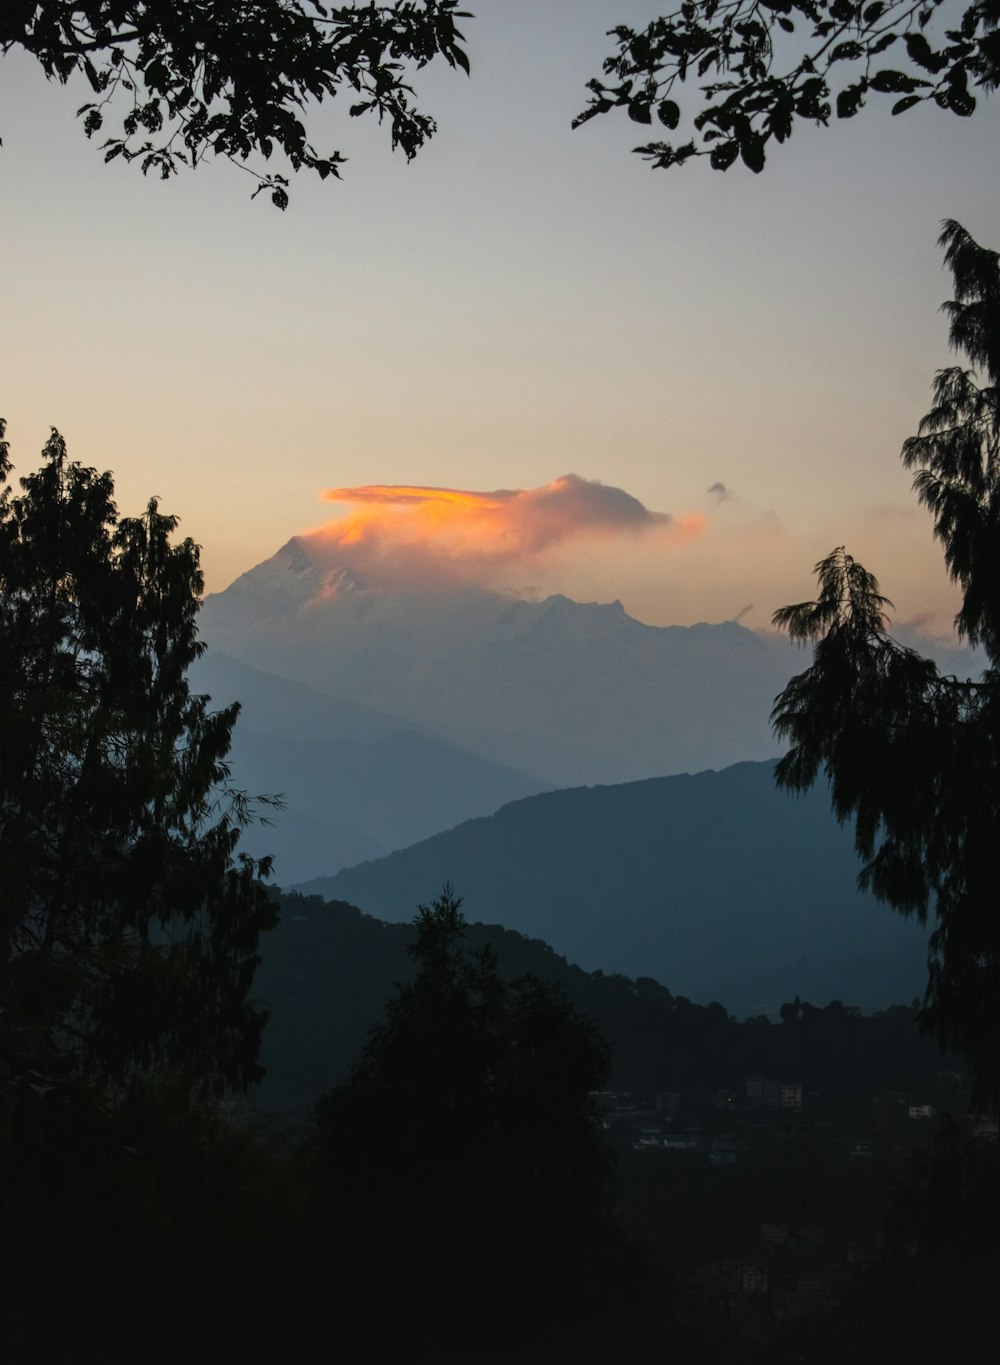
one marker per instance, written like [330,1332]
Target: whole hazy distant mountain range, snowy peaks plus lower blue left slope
[387,717]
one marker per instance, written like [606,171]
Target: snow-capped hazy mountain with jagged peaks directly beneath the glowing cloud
[572,693]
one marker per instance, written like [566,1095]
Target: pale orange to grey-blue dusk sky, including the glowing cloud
[525,313]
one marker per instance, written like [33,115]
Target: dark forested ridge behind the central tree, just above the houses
[329,973]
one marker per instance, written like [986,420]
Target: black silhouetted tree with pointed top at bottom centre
[463,1155]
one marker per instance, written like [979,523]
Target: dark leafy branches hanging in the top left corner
[204,78]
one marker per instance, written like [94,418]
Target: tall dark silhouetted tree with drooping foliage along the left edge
[129,925]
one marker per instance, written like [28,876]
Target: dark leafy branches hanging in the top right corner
[762,65]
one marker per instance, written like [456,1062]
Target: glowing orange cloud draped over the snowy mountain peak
[433,538]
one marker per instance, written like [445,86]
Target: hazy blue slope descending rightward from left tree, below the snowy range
[357,783]
